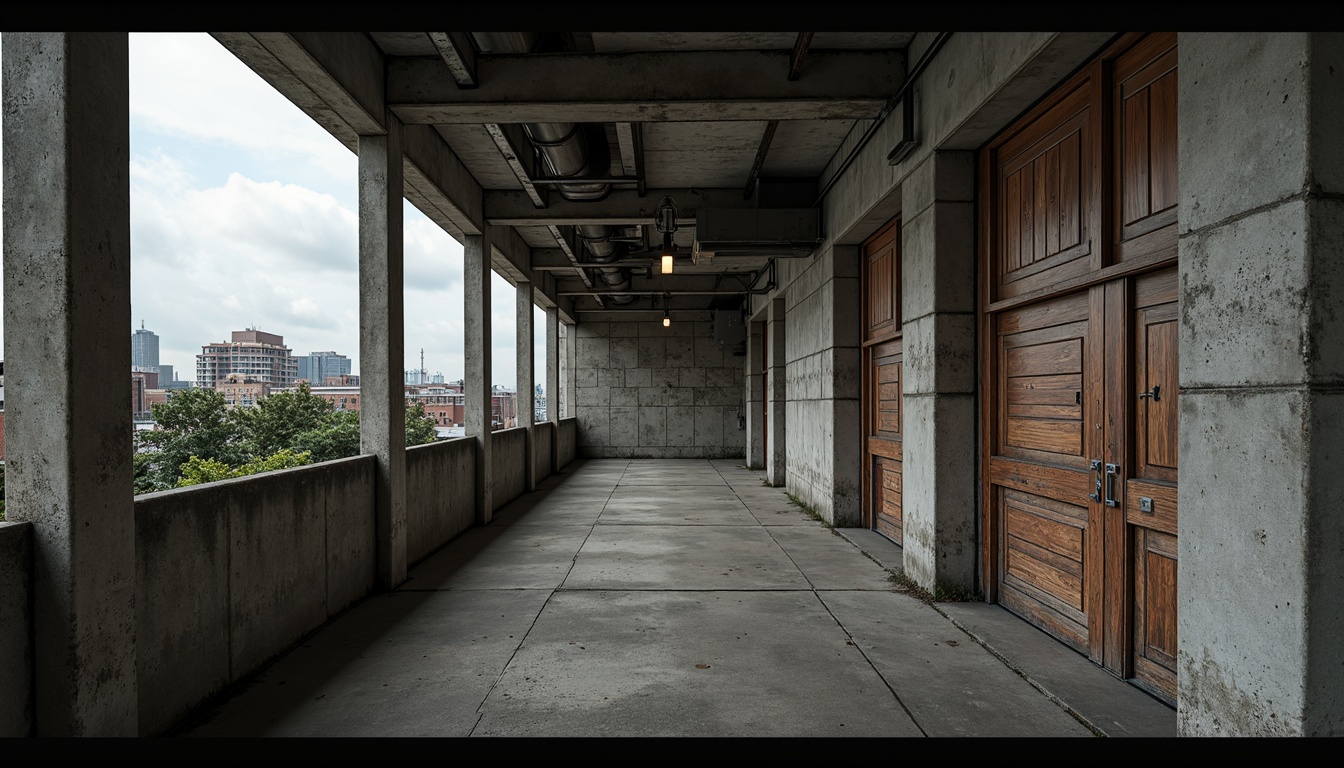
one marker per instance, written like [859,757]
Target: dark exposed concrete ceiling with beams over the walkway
[700,118]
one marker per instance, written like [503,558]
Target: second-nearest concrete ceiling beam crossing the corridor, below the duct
[622,208]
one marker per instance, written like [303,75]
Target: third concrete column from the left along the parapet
[476,264]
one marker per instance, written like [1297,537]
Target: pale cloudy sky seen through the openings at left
[244,213]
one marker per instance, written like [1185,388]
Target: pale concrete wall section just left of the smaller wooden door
[822,349]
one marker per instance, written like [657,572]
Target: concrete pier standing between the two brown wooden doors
[939,330]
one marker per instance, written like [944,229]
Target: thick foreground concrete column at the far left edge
[68,423]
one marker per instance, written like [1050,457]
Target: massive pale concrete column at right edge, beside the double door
[1261,536]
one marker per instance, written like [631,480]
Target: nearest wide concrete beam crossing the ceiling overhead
[647,87]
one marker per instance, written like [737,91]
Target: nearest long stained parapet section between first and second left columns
[233,574]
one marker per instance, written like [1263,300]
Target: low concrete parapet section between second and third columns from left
[440,498]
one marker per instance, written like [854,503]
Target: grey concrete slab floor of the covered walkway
[674,599]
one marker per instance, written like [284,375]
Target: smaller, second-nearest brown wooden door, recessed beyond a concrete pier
[882,365]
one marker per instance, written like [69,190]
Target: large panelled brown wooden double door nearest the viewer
[1080,328]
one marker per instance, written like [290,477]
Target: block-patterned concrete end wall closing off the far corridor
[647,392]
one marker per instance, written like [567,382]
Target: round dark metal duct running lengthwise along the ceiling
[565,149]
